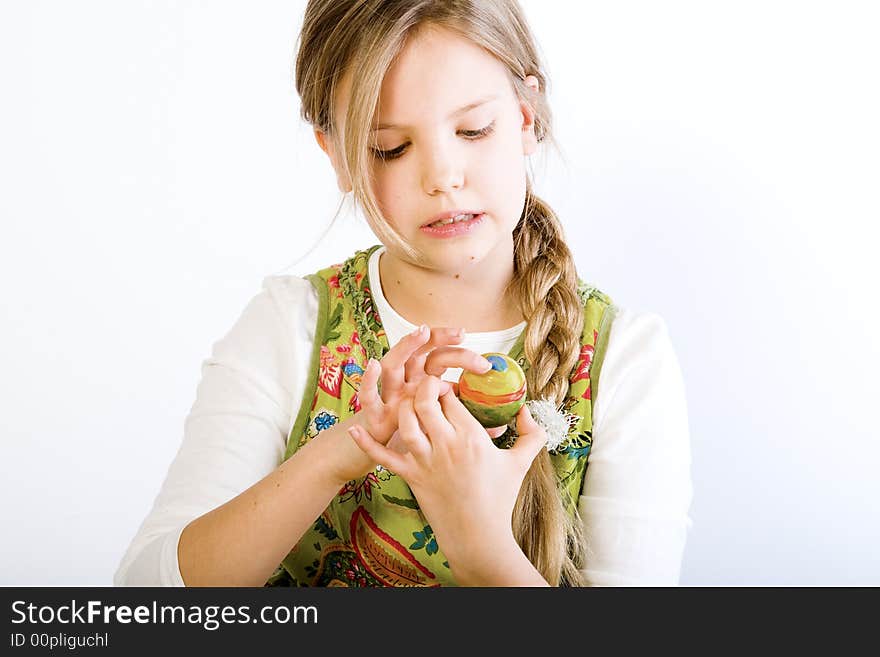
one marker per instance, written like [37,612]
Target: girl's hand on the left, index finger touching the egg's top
[401,370]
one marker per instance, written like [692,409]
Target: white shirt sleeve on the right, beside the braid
[638,489]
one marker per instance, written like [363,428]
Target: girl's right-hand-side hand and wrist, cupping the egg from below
[465,485]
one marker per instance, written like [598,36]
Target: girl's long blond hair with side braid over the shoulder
[361,39]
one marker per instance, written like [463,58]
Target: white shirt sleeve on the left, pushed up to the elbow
[236,431]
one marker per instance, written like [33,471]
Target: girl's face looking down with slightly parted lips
[450,134]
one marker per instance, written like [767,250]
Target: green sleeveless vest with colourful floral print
[373,532]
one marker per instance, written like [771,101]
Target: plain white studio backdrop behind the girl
[720,168]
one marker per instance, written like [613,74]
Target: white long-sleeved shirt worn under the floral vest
[637,491]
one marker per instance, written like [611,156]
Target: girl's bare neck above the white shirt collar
[472,299]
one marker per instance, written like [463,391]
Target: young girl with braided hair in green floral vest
[327,445]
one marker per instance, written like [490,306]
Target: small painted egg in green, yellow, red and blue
[494,398]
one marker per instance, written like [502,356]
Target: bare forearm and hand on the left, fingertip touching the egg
[242,542]
